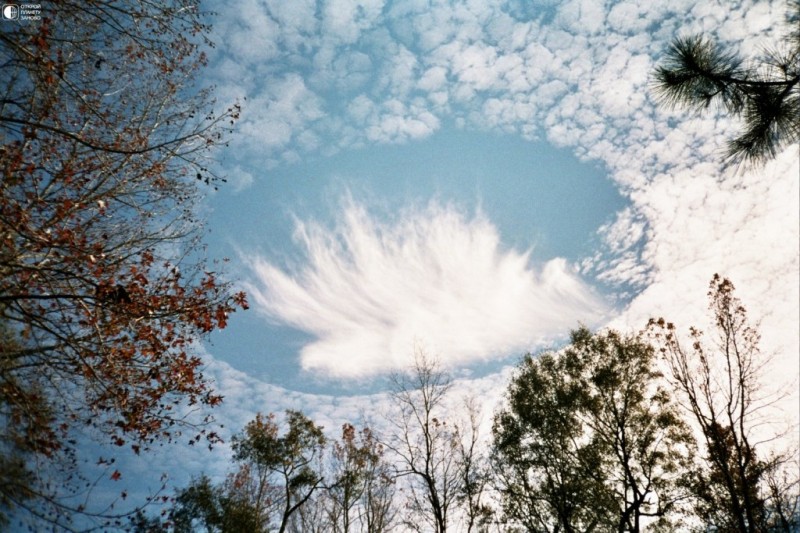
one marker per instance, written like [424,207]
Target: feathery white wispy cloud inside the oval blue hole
[368,291]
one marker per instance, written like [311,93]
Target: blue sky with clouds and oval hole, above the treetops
[475,179]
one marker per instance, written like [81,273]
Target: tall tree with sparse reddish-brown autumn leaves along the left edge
[103,292]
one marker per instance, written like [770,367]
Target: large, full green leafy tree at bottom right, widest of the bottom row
[590,439]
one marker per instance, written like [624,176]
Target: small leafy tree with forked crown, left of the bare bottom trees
[288,461]
